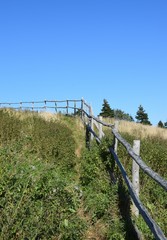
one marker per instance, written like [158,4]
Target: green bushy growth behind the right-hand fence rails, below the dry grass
[154,152]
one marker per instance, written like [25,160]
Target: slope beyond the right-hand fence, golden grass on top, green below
[153,151]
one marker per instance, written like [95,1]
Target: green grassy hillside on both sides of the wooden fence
[53,187]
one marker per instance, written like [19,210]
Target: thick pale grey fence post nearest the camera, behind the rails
[135,175]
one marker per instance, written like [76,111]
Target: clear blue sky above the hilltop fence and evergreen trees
[95,49]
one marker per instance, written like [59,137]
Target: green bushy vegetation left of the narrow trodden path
[38,199]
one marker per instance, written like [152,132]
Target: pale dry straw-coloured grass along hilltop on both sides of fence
[140,131]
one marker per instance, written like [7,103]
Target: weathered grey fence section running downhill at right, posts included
[133,186]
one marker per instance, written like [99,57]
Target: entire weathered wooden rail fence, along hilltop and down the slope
[85,111]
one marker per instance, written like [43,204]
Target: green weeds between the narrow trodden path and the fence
[102,196]
